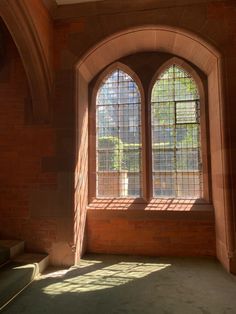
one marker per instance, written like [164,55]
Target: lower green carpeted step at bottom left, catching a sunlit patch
[18,274]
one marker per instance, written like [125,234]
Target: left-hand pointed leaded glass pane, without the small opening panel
[118,137]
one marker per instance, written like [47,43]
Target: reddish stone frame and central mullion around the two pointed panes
[146,139]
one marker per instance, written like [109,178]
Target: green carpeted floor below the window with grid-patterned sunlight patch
[131,285]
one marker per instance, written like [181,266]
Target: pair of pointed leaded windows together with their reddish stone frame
[149,147]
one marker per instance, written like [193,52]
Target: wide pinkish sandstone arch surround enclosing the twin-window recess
[176,42]
